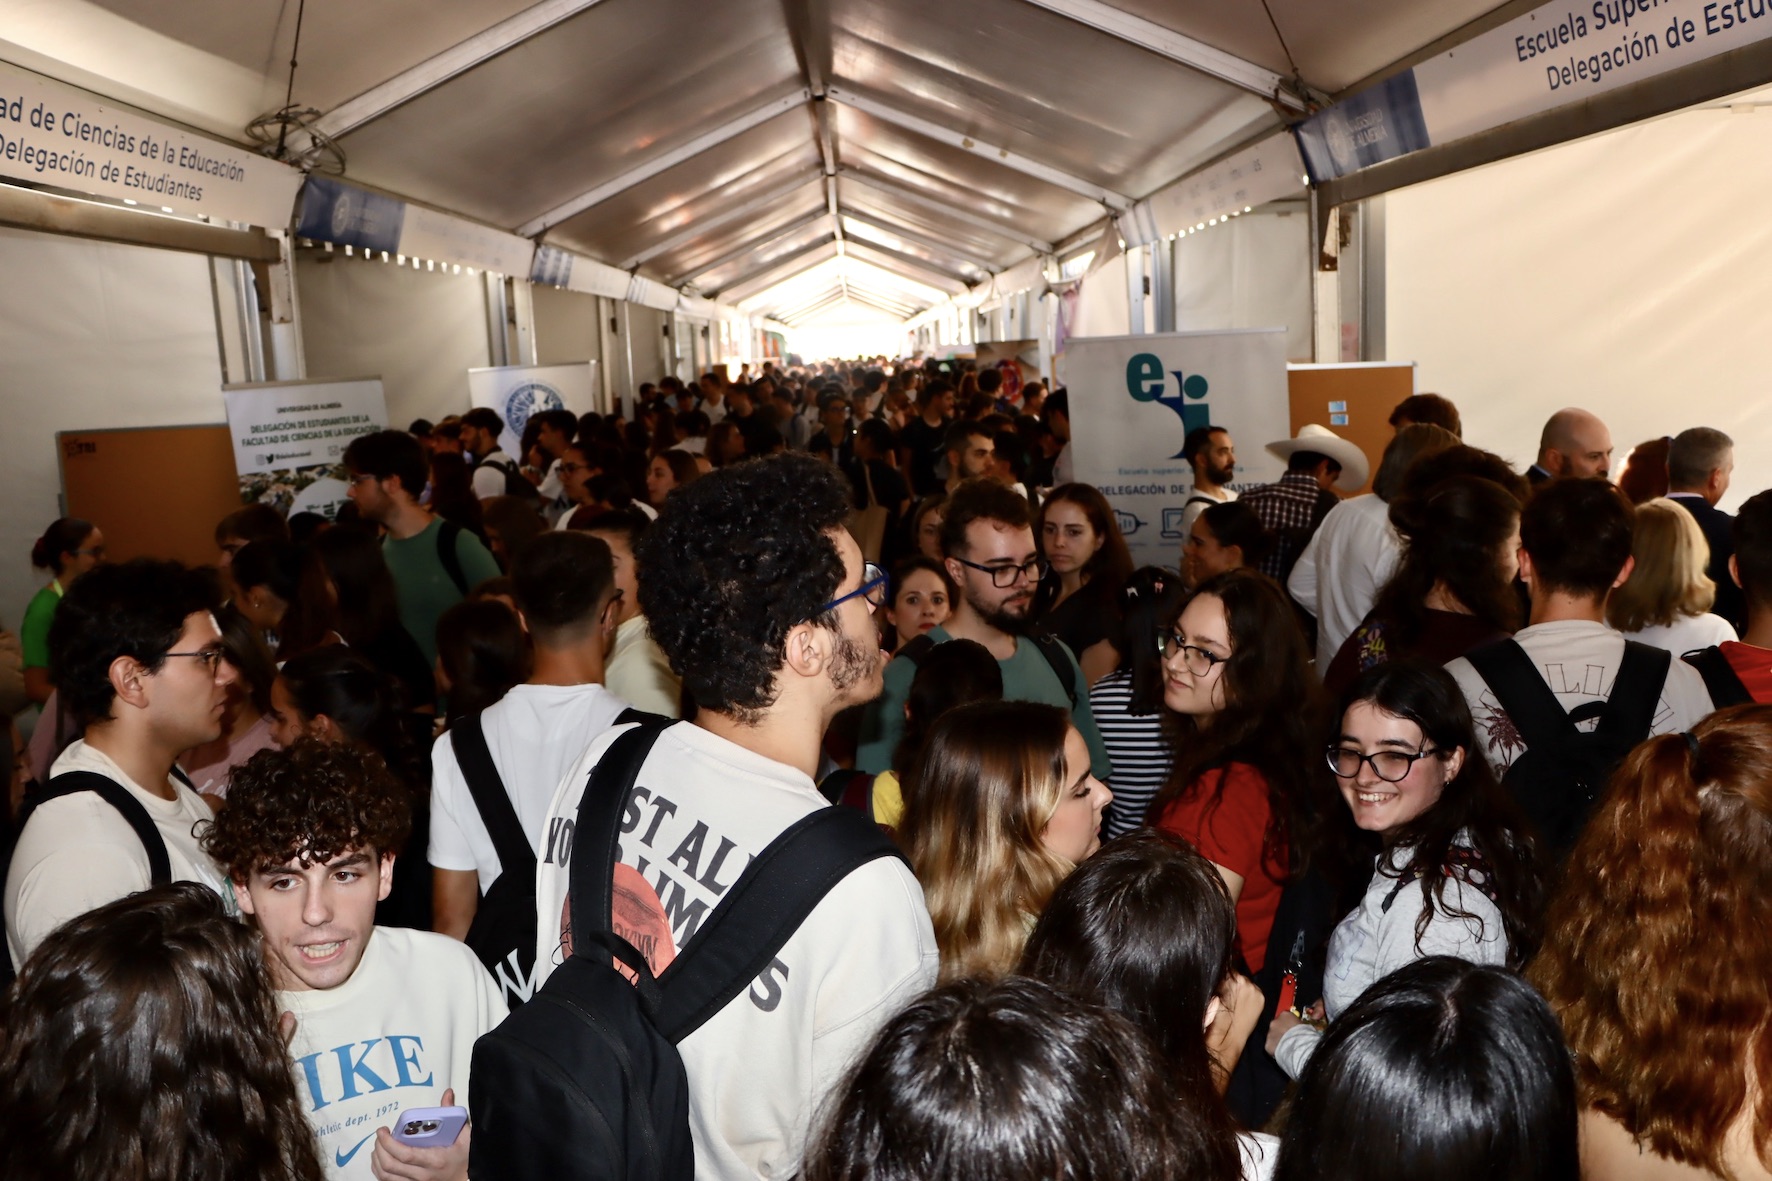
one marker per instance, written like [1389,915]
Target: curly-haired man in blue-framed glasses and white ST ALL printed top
[761,600]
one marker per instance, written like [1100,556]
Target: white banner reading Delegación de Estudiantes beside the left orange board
[290,439]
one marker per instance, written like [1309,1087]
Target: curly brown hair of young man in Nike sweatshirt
[311,802]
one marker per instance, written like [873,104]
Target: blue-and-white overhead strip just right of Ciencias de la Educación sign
[355,217]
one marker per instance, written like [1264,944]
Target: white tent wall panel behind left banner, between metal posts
[421,332]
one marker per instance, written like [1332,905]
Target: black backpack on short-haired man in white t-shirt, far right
[1564,770]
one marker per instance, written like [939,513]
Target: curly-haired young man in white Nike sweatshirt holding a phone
[385,1019]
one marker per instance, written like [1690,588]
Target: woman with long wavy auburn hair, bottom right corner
[1658,953]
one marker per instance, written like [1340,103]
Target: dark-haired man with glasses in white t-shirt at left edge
[137,659]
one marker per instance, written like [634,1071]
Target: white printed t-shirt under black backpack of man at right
[1578,661]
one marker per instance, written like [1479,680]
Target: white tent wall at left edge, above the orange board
[91,336]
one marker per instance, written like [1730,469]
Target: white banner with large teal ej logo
[1133,402]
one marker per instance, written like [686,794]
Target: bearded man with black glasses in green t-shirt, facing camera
[988,540]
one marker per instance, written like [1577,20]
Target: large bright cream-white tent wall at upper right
[1626,274]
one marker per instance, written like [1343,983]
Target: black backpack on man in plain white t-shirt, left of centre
[504,927]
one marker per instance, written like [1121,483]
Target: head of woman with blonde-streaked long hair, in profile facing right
[1004,809]
